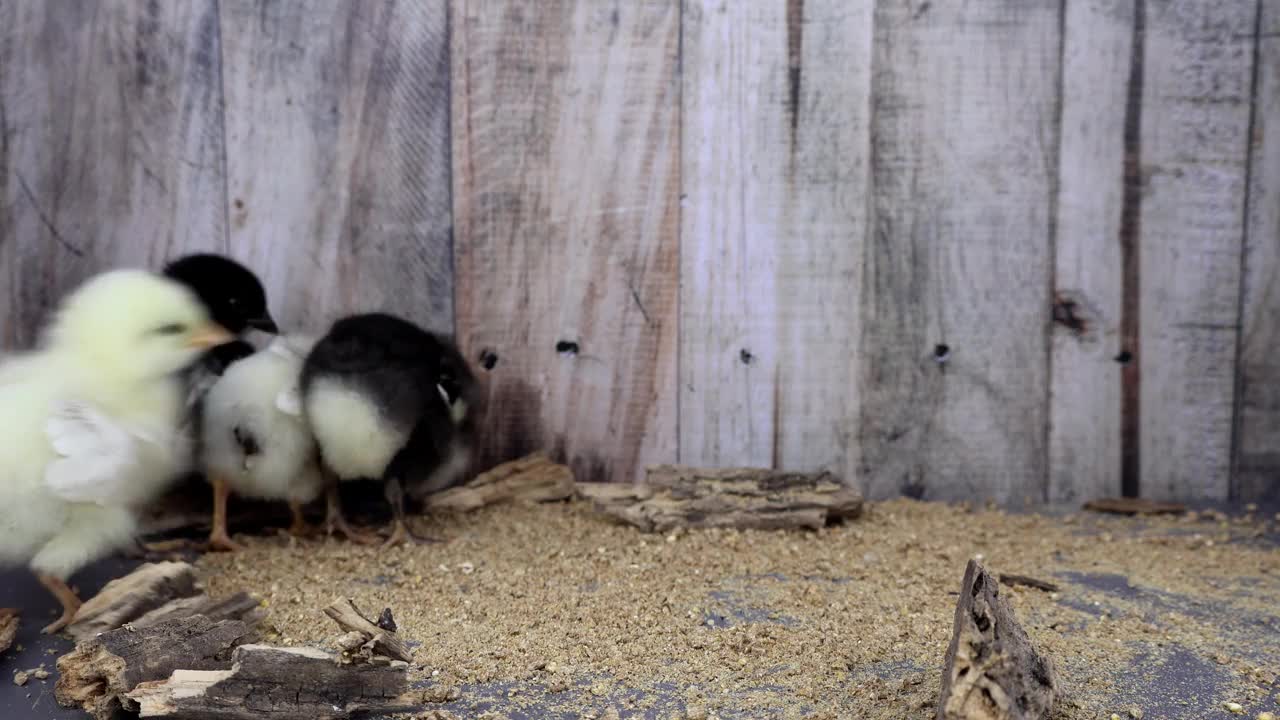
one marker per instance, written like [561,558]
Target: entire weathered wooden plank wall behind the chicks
[995,249]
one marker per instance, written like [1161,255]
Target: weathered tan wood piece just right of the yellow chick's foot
[153,594]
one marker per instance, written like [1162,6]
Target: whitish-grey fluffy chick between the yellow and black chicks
[255,440]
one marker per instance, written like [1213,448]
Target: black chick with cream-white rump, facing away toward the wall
[388,400]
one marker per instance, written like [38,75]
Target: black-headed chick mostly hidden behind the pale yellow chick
[236,300]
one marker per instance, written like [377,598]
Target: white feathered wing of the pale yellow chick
[94,453]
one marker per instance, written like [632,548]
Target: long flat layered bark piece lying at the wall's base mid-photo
[678,496]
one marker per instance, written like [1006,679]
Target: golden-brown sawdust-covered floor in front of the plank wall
[551,612]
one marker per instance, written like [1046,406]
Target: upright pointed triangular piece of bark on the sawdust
[993,672]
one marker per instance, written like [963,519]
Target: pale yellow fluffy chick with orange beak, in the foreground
[90,423]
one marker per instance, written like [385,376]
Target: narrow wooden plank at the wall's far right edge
[1258,462]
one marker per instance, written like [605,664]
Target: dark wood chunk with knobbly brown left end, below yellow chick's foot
[98,673]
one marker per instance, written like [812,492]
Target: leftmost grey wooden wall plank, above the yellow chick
[111,144]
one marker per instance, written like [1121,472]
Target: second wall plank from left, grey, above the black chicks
[339,156]
